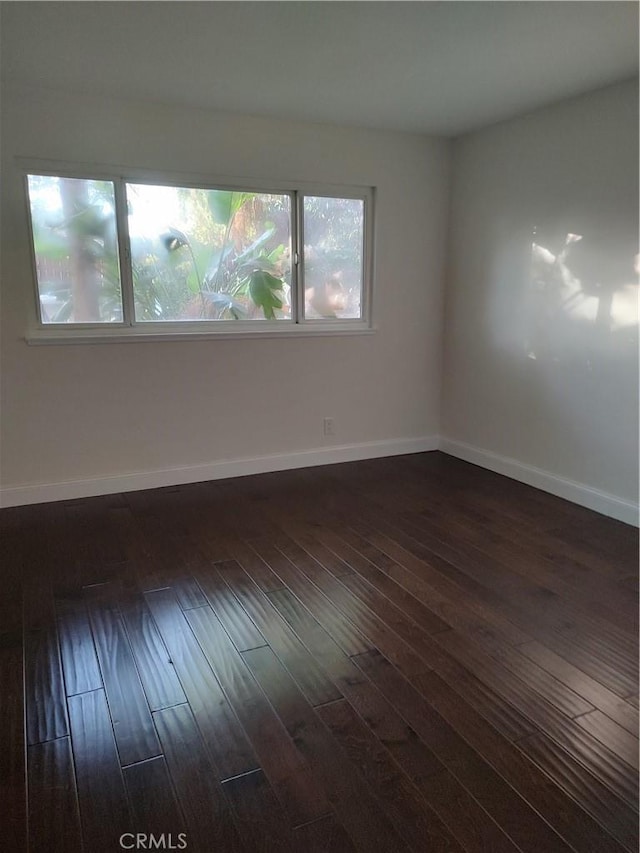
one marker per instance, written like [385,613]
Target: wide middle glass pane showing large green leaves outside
[202,254]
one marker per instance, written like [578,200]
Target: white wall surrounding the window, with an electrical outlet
[86,412]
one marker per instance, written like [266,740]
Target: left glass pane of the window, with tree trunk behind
[76,249]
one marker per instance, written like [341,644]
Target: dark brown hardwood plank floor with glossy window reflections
[400,654]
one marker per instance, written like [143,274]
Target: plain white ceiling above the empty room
[429,67]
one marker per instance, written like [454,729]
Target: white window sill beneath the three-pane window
[66,336]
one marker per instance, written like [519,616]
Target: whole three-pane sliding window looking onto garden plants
[131,256]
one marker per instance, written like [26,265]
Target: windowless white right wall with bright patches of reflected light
[546,373]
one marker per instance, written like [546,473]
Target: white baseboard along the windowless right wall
[578,493]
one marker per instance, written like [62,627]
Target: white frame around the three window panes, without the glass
[130,329]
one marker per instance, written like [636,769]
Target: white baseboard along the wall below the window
[47,492]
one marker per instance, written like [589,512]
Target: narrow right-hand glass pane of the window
[333,257]
